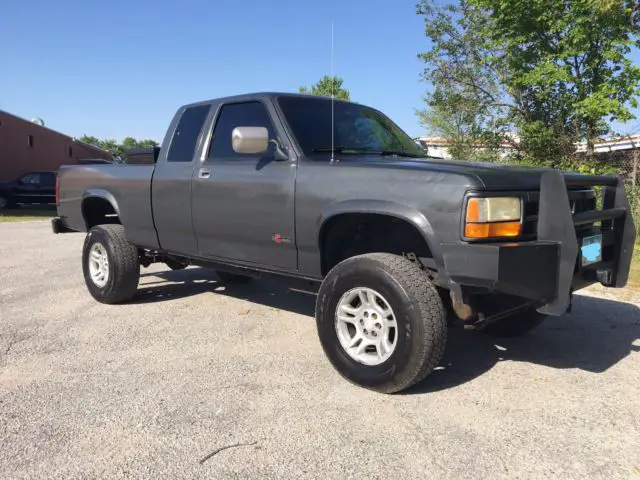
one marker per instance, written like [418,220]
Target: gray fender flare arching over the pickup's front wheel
[383,207]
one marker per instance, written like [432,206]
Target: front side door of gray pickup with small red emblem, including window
[243,204]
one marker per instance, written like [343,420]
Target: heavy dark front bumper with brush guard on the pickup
[548,270]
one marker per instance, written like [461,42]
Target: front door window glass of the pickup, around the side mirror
[247,114]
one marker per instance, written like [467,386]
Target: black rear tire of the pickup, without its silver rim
[124,264]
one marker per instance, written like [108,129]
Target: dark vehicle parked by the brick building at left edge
[30,188]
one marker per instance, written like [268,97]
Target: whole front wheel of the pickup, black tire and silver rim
[381,322]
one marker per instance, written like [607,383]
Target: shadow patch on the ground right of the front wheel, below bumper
[597,335]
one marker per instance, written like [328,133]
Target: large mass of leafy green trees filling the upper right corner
[554,71]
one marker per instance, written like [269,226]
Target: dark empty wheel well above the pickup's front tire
[353,234]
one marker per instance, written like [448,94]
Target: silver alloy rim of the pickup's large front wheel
[366,326]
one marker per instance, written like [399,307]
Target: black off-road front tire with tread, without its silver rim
[417,306]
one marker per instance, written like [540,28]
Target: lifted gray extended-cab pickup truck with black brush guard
[334,198]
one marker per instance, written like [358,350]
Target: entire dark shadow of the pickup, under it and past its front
[597,335]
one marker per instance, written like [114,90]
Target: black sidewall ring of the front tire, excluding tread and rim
[410,326]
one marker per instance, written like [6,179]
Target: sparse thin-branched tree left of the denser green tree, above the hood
[468,104]
